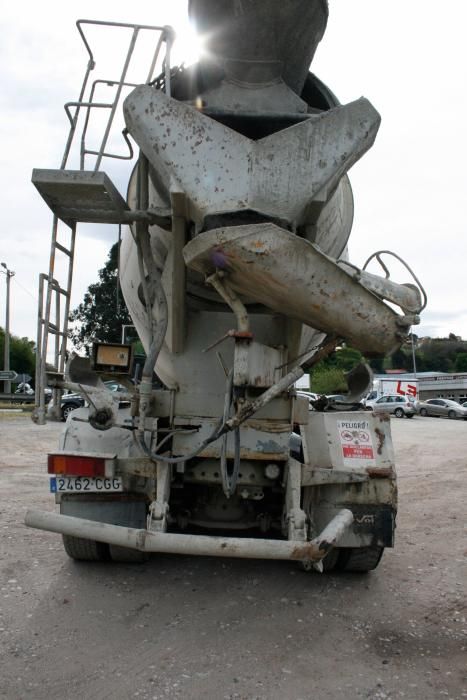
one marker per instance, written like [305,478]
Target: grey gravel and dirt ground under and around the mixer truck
[208,628]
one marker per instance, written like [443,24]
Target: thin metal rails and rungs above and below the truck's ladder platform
[158,69]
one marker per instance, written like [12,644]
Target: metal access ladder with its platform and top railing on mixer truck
[51,292]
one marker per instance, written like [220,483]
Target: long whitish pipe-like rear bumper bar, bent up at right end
[199,545]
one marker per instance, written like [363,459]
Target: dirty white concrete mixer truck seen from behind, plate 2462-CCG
[234,268]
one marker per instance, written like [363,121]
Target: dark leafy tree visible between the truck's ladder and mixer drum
[103,312]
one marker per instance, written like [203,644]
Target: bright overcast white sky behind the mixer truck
[408,57]
